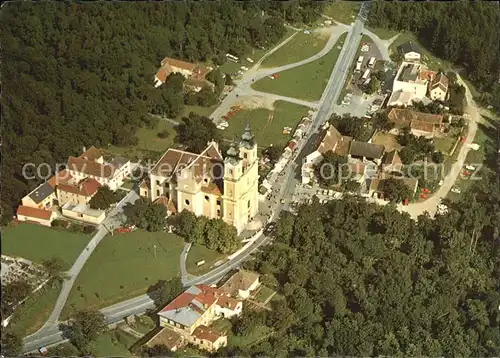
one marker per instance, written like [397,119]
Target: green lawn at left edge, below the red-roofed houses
[38,243]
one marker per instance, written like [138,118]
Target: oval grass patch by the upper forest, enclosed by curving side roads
[299,48]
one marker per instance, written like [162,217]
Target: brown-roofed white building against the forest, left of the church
[91,165]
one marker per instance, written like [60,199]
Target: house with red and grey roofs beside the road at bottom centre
[193,311]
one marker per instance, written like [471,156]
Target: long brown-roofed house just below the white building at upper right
[420,124]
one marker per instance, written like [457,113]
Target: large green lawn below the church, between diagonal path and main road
[124,266]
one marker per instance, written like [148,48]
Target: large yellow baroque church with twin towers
[208,184]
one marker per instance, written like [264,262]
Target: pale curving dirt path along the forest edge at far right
[432,203]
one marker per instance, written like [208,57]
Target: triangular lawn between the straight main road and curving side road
[305,82]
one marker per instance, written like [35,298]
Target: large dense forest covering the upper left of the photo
[78,74]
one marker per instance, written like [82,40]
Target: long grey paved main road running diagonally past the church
[51,334]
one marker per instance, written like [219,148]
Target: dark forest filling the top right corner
[466,33]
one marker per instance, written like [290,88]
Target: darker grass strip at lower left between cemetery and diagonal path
[33,313]
